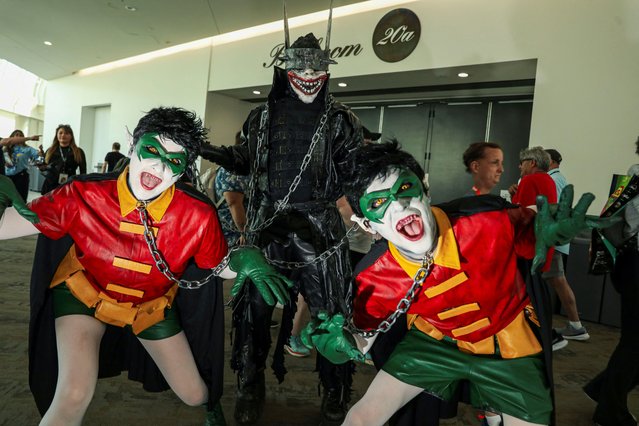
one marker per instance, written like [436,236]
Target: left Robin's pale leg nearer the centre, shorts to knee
[175,360]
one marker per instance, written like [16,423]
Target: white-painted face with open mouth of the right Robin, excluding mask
[408,223]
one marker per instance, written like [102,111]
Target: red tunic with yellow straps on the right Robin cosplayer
[474,289]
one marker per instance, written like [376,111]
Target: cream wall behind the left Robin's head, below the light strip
[179,80]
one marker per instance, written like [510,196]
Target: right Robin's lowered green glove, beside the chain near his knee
[330,338]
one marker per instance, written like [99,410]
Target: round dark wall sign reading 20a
[396,35]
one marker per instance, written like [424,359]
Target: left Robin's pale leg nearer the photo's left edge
[78,344]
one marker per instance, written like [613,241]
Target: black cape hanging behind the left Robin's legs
[201,314]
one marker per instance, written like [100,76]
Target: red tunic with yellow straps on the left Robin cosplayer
[101,218]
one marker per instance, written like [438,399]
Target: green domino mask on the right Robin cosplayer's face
[374,204]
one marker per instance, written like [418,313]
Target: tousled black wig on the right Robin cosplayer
[370,161]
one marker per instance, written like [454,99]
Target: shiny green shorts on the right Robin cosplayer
[517,387]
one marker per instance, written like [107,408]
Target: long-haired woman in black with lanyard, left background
[62,159]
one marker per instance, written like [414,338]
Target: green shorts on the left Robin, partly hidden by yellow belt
[65,303]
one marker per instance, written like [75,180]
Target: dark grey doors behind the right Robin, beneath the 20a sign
[437,133]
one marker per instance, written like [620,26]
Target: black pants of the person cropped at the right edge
[611,387]
